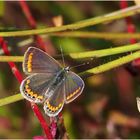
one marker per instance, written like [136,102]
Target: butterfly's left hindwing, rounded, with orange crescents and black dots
[34,87]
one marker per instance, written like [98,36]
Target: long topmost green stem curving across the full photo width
[85,23]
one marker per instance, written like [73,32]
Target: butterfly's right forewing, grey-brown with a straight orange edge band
[74,86]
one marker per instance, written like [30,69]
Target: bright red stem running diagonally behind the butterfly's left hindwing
[19,77]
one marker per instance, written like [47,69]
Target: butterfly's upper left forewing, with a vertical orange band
[37,61]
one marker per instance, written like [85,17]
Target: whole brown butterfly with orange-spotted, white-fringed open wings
[49,83]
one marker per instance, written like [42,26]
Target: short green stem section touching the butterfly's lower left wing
[11,99]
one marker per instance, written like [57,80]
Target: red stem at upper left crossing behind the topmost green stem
[31,22]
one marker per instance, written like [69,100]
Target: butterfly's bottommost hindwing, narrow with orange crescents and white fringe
[54,104]
